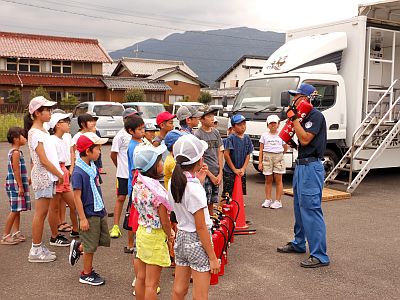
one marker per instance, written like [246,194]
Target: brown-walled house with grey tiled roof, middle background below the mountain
[181,80]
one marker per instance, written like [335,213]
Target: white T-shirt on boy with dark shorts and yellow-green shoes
[120,145]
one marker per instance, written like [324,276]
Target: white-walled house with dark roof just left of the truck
[245,67]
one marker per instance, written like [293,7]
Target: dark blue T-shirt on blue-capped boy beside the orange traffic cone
[238,148]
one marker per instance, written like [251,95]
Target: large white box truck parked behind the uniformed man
[354,65]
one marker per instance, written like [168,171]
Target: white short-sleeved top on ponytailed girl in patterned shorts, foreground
[194,198]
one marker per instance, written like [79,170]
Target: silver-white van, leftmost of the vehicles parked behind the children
[109,114]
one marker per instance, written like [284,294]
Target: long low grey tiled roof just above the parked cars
[123,83]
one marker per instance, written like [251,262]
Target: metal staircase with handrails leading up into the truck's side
[375,133]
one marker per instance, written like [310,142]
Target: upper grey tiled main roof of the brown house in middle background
[147,67]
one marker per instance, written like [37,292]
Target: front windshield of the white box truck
[258,93]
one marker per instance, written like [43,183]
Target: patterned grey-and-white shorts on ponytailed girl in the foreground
[189,252]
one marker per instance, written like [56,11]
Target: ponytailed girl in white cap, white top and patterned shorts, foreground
[194,253]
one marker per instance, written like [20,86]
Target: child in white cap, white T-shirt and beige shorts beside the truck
[271,162]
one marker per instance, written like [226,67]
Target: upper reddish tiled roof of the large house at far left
[52,48]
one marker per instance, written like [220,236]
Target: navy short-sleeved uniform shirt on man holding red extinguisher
[315,123]
